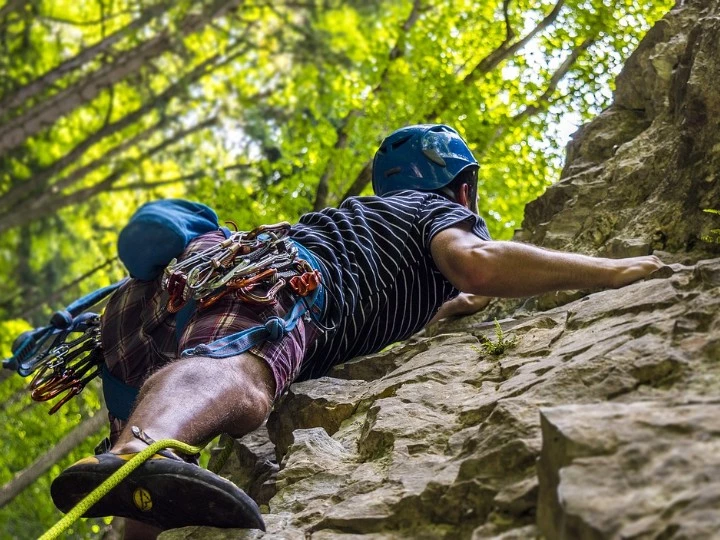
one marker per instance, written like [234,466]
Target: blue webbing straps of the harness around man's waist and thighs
[120,397]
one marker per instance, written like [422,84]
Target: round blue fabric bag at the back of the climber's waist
[159,231]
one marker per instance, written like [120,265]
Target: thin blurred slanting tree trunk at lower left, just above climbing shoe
[27,476]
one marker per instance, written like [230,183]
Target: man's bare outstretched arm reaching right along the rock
[511,269]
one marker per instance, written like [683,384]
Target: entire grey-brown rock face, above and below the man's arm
[603,421]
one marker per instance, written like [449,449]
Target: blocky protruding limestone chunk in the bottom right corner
[639,470]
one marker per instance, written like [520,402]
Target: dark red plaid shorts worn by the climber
[139,334]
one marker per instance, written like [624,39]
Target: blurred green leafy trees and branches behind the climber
[264,110]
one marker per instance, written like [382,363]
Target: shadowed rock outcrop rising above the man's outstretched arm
[639,176]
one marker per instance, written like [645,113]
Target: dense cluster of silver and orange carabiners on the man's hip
[254,266]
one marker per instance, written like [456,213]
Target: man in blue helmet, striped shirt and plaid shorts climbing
[388,264]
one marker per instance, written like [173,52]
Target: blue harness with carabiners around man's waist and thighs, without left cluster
[243,264]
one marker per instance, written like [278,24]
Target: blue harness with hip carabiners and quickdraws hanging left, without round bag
[253,266]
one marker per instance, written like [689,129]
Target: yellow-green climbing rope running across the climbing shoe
[113,480]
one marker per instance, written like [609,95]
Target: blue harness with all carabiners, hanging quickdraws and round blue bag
[243,264]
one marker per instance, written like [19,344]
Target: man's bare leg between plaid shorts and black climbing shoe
[195,399]
